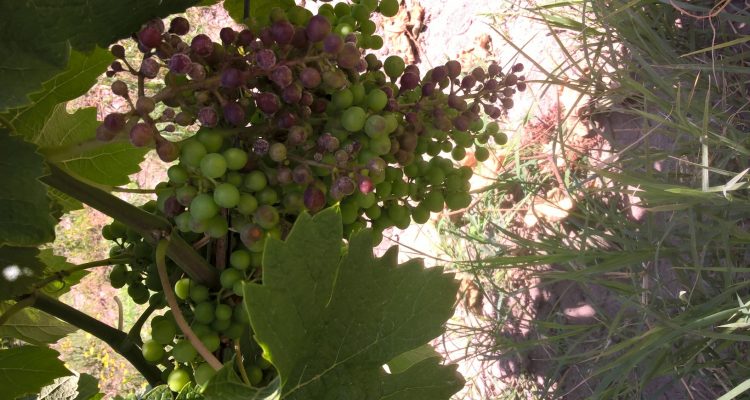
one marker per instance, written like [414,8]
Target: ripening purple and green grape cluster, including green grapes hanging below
[291,116]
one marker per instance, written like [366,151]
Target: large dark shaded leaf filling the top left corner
[37,36]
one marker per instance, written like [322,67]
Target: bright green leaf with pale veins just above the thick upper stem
[69,140]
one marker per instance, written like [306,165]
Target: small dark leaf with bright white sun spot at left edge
[20,269]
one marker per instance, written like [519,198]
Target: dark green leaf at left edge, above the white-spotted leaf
[25,218]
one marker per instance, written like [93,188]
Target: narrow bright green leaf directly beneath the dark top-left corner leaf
[81,73]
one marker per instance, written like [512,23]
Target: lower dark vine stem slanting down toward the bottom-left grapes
[116,339]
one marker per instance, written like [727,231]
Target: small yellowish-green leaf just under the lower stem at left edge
[34,326]
